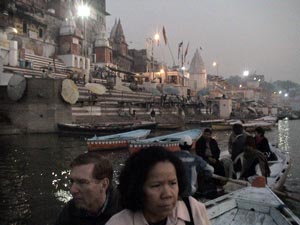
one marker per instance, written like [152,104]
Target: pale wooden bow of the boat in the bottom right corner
[250,205]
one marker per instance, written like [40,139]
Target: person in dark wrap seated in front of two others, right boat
[254,162]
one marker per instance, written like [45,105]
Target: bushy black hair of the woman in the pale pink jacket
[135,173]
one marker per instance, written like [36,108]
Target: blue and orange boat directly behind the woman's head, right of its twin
[170,141]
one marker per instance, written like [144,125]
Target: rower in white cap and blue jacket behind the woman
[196,168]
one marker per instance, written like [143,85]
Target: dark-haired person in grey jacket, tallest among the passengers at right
[236,144]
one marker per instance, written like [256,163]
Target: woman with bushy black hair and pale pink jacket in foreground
[151,188]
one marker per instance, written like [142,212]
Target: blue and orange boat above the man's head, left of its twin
[115,141]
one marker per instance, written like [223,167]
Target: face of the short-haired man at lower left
[88,193]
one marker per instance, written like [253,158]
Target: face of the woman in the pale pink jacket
[161,192]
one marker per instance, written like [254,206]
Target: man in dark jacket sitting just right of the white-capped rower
[207,147]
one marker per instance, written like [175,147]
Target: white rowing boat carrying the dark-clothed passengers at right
[279,168]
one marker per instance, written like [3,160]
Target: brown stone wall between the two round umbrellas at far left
[40,108]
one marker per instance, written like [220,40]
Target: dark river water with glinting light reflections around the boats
[34,168]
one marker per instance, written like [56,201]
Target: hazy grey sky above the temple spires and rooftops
[258,35]
